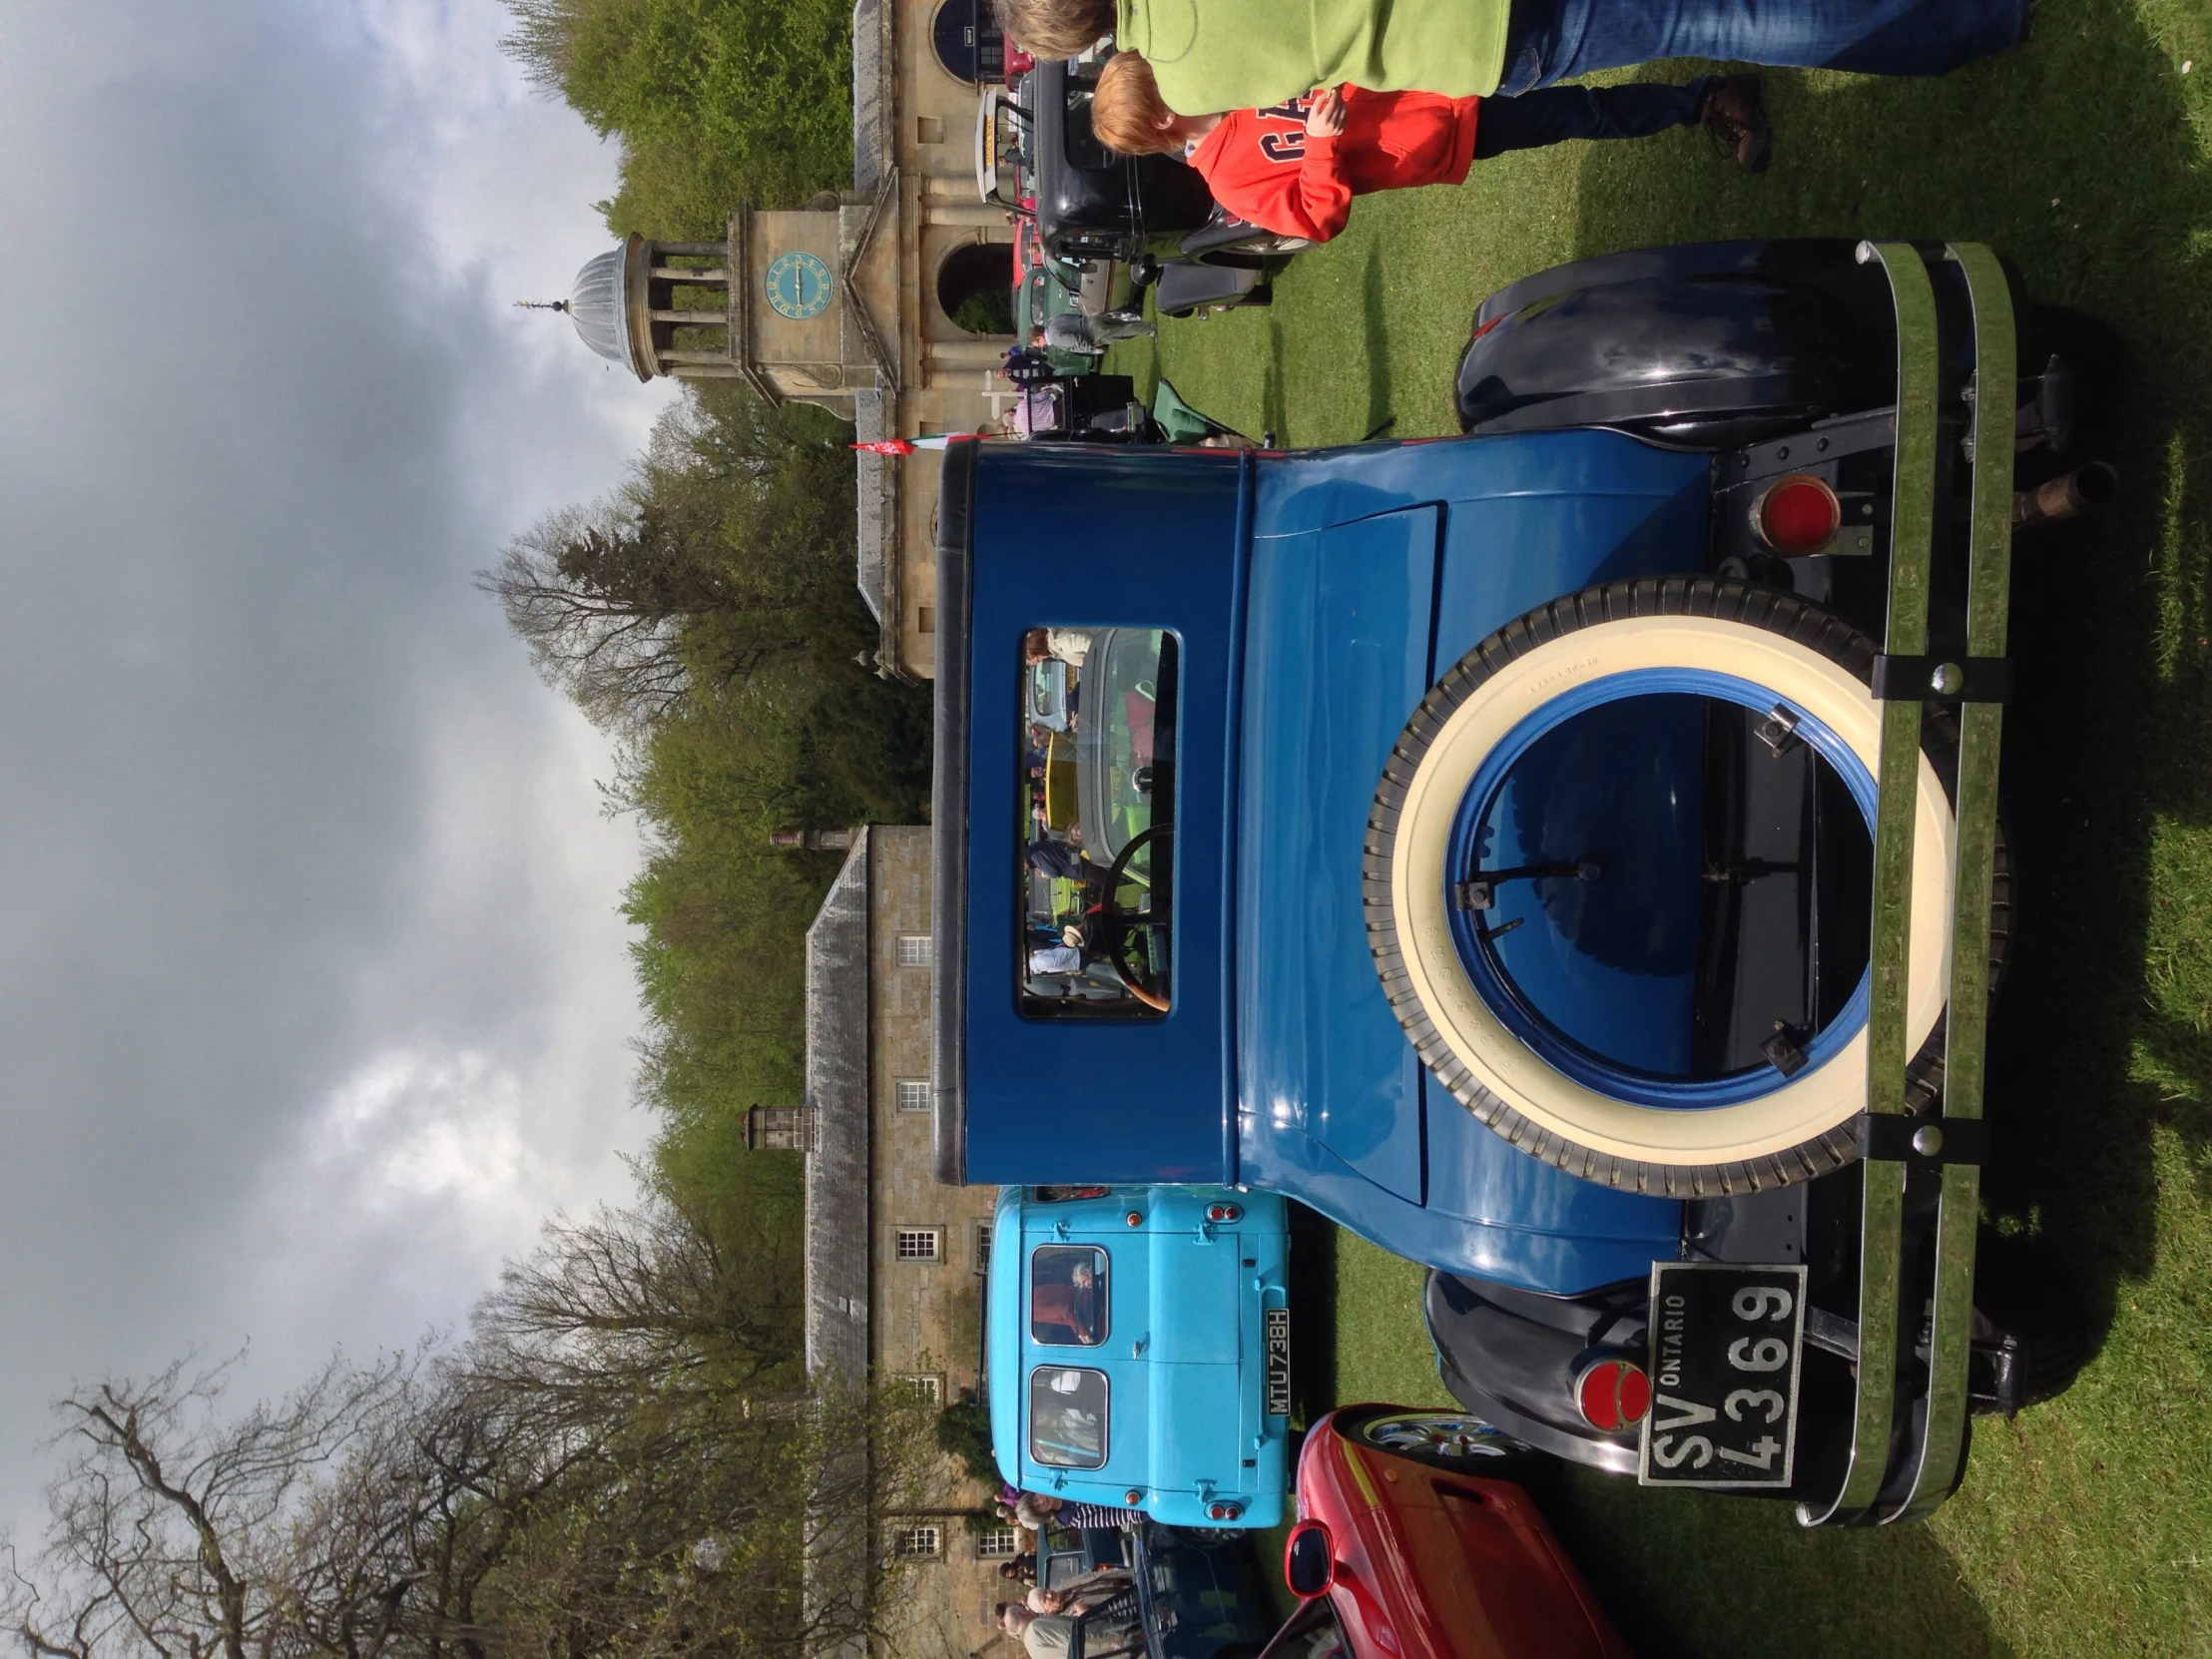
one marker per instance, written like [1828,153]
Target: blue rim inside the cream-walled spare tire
[1505,999]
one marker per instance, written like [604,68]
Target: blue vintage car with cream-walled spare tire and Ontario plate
[1565,855]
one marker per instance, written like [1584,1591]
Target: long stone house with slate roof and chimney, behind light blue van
[895,1262]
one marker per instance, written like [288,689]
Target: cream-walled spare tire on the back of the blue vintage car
[1658,636]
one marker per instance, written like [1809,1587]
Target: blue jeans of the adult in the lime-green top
[1563,39]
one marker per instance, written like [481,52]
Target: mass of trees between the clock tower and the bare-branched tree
[707,614]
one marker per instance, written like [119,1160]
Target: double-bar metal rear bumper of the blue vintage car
[1908,1443]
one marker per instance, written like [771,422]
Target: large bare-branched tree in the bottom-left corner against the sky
[625,1459]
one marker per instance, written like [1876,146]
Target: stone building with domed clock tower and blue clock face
[851,300]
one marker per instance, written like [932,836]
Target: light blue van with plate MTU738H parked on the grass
[1140,1348]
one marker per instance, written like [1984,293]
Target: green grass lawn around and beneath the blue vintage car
[2085,1527]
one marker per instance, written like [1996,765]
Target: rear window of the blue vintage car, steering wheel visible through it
[1096,833]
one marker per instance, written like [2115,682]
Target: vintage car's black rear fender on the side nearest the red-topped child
[1709,346]
